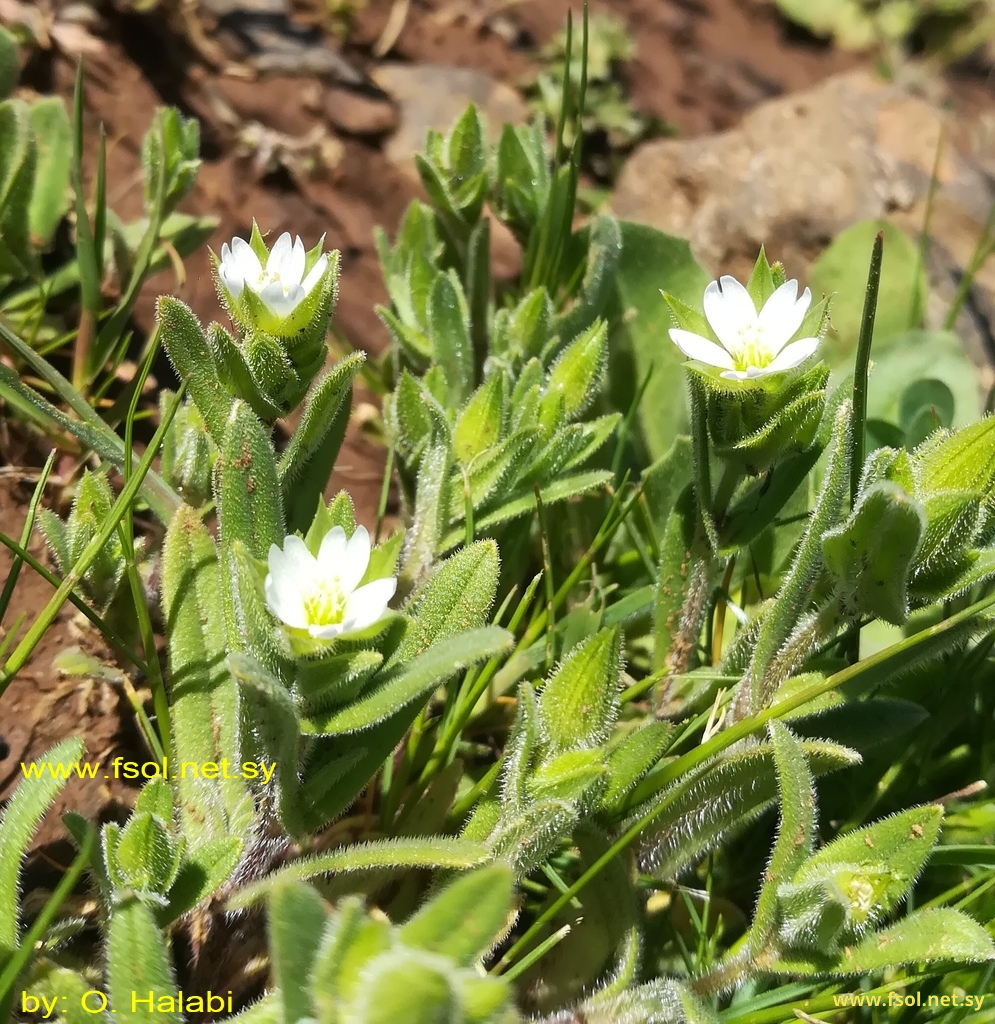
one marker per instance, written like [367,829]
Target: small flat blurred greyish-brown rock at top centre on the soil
[435,96]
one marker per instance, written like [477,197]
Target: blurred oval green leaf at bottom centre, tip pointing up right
[465,920]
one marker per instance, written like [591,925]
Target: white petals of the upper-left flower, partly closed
[280,286]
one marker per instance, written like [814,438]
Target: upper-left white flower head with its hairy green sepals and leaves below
[282,302]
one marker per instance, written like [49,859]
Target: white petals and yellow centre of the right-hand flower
[753,345]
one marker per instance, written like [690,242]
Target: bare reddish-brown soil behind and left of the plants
[701,64]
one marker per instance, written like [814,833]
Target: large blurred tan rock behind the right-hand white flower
[800,169]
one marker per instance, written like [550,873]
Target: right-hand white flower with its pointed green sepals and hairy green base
[750,352]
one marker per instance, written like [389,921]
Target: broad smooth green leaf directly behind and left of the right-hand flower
[652,262]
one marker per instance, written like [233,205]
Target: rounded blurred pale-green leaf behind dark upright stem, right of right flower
[843,270]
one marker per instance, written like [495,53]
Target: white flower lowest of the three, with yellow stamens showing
[323,595]
